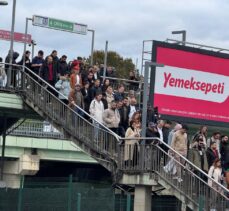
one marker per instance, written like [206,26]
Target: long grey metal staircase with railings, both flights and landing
[108,148]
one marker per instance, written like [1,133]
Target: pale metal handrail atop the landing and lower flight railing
[184,158]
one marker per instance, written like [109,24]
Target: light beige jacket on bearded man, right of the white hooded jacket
[111,118]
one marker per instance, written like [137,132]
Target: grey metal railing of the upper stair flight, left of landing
[38,94]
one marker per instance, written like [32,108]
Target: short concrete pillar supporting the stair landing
[142,198]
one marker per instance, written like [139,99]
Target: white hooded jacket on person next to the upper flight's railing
[96,110]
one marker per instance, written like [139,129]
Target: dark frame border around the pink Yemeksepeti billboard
[176,46]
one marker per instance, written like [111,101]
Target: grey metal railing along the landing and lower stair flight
[188,180]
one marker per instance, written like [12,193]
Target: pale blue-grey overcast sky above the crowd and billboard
[125,24]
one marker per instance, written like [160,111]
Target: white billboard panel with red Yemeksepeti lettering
[192,84]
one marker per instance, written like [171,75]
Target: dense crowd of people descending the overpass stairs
[84,86]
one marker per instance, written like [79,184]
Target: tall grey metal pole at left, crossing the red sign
[9,71]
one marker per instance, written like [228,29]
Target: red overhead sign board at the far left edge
[18,37]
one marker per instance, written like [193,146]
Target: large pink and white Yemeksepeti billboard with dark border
[193,86]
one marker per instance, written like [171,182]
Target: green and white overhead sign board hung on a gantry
[57,24]
